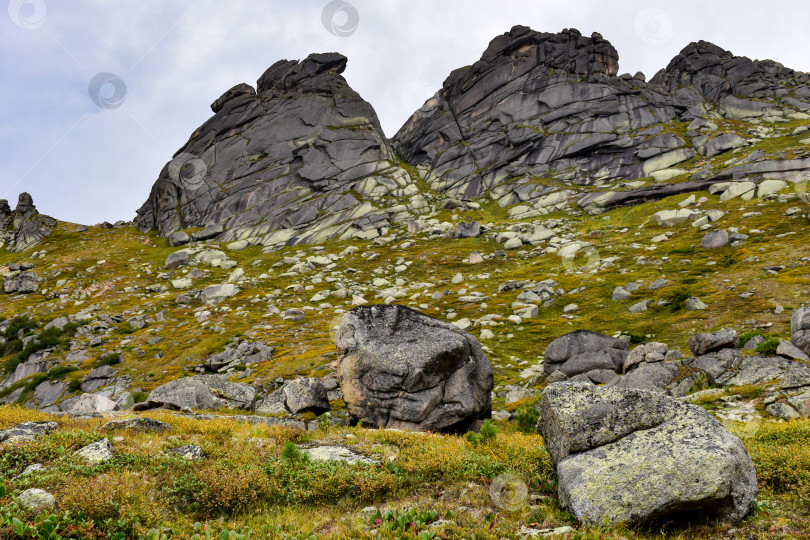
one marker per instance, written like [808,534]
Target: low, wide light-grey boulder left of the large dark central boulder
[201,392]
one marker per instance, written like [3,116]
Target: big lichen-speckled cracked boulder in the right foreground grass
[632,456]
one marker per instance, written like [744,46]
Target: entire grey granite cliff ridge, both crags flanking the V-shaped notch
[541,123]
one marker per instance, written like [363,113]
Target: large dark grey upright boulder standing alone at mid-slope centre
[399,368]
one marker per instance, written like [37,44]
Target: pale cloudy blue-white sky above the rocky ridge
[97,95]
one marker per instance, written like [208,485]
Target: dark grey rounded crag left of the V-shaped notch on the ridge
[300,159]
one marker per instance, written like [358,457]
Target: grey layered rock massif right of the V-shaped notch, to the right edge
[539,107]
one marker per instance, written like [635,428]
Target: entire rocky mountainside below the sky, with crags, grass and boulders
[559,301]
